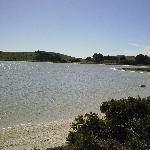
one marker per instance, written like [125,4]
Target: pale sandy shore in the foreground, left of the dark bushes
[29,136]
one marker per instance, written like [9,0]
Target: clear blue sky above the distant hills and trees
[78,28]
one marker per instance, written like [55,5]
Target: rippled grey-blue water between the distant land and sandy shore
[39,92]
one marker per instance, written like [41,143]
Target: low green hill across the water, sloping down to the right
[37,56]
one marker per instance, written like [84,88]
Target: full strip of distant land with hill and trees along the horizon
[97,58]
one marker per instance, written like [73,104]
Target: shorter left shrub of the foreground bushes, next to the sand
[89,132]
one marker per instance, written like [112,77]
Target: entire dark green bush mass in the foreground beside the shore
[126,126]
